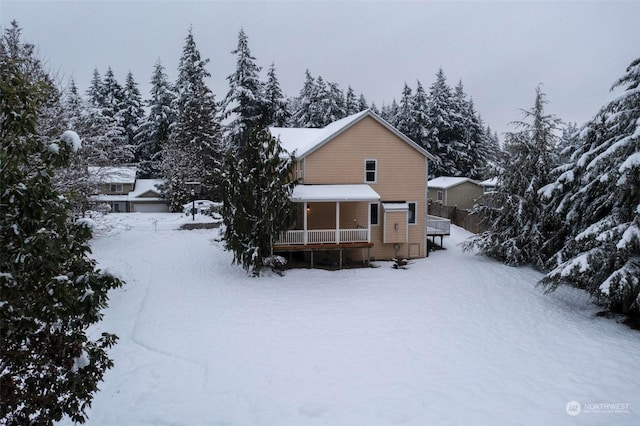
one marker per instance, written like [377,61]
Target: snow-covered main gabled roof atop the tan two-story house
[304,141]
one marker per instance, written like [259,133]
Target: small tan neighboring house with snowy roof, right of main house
[460,192]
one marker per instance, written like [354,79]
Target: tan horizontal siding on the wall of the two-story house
[401,175]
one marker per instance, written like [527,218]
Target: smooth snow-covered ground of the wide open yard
[454,339]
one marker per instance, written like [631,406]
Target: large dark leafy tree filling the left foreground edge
[51,290]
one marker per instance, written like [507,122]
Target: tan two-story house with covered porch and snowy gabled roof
[361,190]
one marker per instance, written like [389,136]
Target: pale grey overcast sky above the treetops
[500,50]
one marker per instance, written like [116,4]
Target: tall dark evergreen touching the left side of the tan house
[256,170]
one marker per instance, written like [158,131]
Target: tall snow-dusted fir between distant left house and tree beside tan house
[194,146]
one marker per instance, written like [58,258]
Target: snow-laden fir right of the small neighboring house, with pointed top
[518,232]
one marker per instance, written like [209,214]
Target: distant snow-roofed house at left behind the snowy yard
[118,188]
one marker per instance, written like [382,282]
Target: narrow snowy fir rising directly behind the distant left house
[155,129]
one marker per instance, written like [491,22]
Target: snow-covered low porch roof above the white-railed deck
[333,193]
